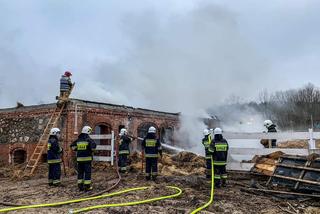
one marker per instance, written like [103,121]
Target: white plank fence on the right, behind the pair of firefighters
[241,166]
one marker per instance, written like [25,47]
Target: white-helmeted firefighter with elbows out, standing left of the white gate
[84,146]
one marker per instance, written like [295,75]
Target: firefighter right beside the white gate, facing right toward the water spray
[124,150]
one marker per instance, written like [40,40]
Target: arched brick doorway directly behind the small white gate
[102,129]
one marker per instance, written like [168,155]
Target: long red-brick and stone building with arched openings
[21,128]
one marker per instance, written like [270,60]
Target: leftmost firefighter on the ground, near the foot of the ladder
[54,157]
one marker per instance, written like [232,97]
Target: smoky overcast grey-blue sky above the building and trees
[165,55]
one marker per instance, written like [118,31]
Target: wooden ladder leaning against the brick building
[43,141]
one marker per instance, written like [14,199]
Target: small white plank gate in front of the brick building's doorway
[105,148]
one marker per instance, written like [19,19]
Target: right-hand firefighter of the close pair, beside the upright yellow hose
[219,149]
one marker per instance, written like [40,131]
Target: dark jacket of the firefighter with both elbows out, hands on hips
[84,146]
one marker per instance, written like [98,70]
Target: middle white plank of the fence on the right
[257,151]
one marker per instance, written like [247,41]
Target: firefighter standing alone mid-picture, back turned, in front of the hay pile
[152,149]
